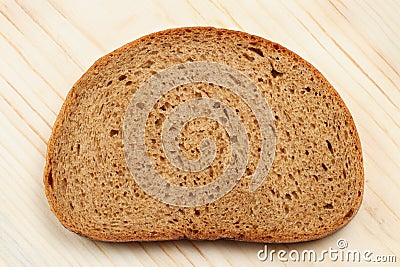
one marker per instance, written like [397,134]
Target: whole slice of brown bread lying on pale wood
[305,150]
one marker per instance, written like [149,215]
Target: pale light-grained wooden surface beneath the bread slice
[46,45]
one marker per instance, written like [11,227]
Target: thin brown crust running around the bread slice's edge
[118,237]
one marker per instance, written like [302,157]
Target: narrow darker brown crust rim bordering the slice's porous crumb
[283,239]
